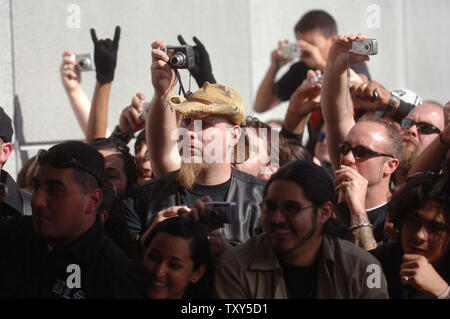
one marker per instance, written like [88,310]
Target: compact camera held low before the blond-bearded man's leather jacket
[218,213]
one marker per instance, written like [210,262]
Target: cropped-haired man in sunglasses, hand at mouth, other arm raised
[363,154]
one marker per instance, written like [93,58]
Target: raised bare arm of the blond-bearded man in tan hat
[161,121]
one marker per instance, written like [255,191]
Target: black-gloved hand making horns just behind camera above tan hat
[202,70]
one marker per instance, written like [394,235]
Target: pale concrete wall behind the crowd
[239,35]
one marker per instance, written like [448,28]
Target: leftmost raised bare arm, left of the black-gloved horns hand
[71,80]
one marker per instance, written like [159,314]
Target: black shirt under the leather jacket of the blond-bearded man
[217,193]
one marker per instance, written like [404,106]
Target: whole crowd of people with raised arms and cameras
[347,197]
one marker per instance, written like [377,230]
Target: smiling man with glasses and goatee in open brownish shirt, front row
[299,255]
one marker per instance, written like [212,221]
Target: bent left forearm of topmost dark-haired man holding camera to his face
[265,97]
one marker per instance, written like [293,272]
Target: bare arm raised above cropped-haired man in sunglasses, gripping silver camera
[337,107]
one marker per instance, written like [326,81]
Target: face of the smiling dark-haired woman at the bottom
[168,267]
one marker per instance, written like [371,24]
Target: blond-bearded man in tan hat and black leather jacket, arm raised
[210,122]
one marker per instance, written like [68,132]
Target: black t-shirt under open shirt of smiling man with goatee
[300,281]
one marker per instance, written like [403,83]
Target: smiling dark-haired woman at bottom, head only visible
[177,262]
